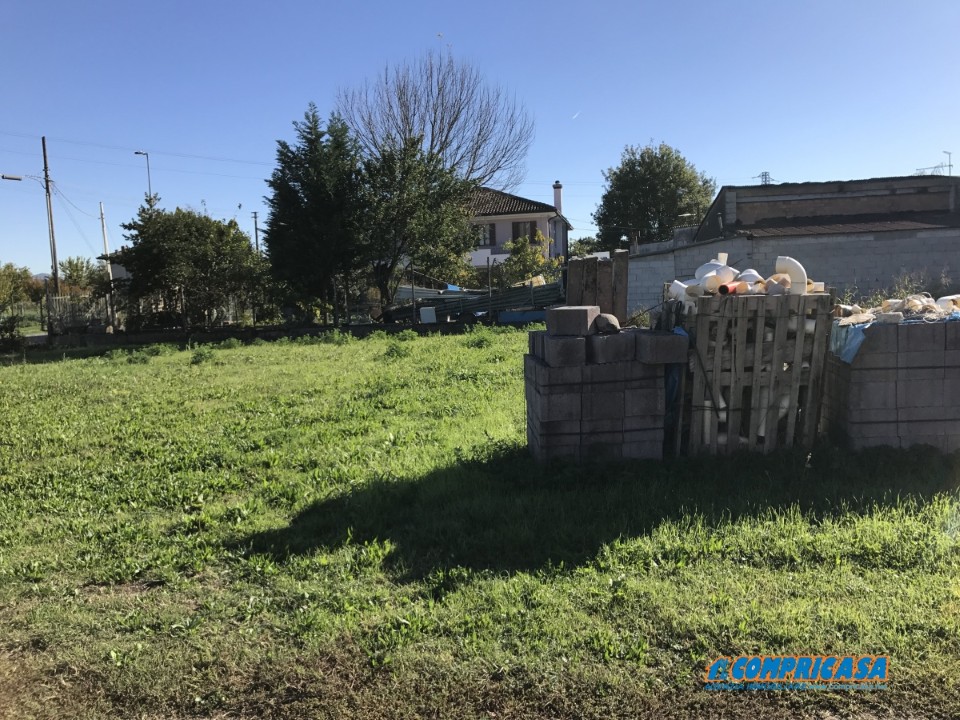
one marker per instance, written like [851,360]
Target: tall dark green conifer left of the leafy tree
[311,236]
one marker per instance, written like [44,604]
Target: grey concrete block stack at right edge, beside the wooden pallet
[902,389]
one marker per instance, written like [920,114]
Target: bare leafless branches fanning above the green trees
[478,131]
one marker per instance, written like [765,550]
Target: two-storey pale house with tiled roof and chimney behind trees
[502,217]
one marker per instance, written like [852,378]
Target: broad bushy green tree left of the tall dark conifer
[188,264]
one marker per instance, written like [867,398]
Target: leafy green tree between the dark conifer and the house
[414,209]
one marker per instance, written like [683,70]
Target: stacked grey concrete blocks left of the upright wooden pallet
[608,404]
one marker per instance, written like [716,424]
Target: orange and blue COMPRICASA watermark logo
[798,672]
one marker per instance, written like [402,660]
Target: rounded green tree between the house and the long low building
[647,194]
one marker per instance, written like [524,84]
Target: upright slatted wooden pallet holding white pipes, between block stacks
[758,371]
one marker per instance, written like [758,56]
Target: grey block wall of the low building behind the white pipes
[866,262]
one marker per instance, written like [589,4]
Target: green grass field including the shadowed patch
[353,529]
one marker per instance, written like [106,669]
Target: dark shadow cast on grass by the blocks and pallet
[500,511]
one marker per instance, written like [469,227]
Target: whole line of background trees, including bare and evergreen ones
[379,190]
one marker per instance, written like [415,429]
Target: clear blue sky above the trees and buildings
[812,90]
